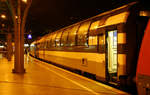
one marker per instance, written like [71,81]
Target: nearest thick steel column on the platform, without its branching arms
[19,44]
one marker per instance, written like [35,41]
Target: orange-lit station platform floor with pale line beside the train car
[45,79]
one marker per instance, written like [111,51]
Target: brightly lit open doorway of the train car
[111,55]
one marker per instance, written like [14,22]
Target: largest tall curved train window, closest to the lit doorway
[82,34]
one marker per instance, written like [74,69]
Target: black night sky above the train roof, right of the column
[55,14]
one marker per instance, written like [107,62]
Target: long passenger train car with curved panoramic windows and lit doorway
[106,46]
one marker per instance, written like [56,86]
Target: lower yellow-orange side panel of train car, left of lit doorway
[93,63]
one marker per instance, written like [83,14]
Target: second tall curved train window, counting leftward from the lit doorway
[72,36]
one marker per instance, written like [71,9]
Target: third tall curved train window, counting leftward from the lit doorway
[64,39]
